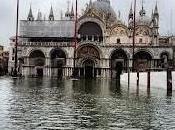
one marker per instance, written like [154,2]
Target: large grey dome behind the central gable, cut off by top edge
[104,7]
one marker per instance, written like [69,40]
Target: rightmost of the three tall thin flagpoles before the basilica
[134,32]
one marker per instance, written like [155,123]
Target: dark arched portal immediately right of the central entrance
[118,63]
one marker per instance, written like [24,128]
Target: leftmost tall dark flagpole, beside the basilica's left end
[16,41]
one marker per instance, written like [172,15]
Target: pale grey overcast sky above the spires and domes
[8,12]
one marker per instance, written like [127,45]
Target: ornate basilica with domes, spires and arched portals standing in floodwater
[104,43]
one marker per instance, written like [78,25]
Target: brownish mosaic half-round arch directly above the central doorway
[88,51]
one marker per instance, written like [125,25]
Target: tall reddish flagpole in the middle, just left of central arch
[75,39]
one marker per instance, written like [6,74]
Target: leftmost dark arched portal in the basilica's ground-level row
[37,60]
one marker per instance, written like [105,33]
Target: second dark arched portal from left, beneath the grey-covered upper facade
[58,61]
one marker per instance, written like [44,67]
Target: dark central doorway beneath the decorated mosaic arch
[89,69]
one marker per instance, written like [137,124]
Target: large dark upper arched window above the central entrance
[90,31]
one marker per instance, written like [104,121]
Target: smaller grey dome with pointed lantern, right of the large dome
[143,19]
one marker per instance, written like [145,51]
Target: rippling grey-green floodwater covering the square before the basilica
[49,104]
